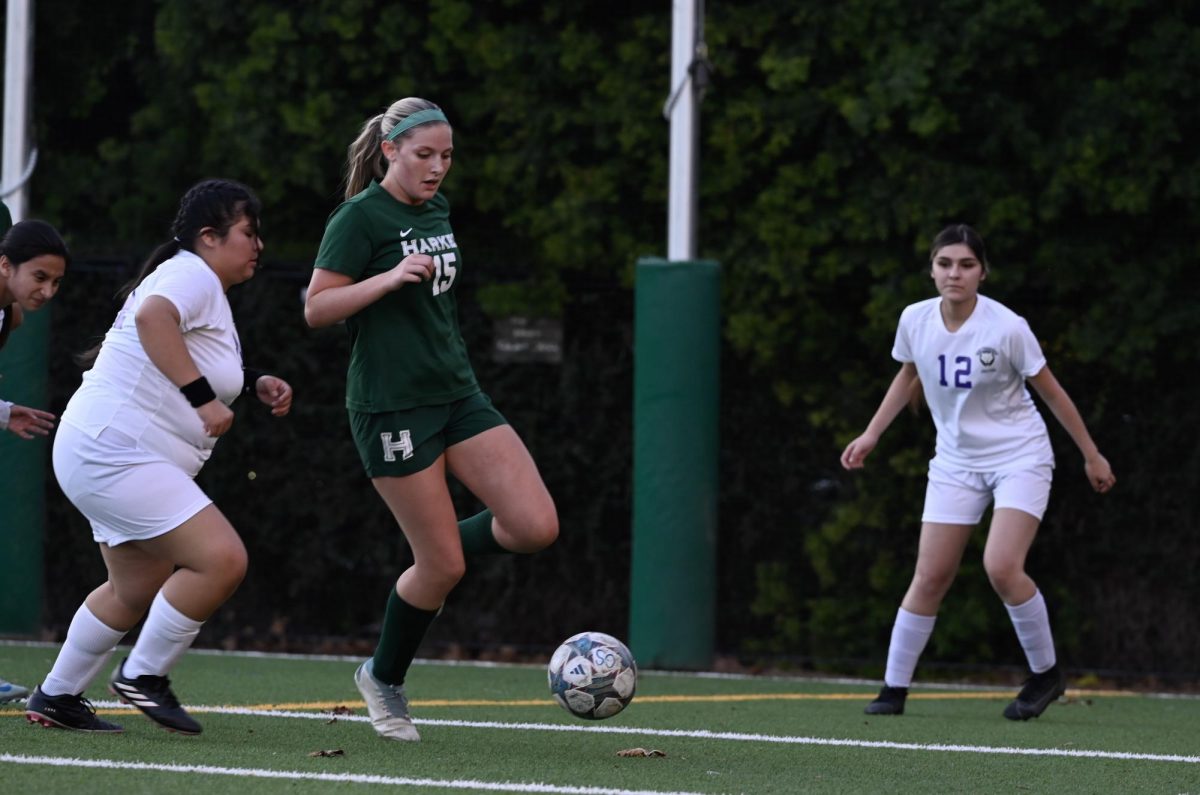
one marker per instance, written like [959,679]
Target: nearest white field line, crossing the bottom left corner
[355,779]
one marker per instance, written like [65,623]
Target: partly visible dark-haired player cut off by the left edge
[33,262]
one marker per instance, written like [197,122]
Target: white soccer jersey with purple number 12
[975,385]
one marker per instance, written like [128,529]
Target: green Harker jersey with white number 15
[406,349]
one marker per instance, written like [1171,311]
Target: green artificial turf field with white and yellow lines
[496,730]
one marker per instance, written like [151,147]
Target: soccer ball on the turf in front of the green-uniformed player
[593,676]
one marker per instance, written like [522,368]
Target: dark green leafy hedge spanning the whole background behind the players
[837,139]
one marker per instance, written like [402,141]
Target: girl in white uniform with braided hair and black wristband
[131,443]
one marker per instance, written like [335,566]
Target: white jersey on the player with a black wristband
[127,392]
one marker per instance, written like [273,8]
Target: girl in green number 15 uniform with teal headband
[388,267]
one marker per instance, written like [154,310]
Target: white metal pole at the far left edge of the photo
[19,71]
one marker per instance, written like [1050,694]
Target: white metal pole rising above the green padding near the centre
[682,112]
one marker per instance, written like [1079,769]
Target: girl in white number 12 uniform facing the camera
[974,358]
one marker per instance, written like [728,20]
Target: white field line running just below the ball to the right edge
[700,734]
